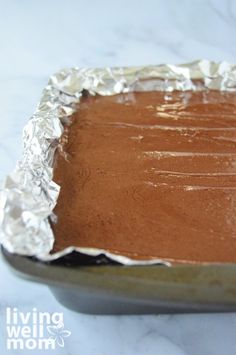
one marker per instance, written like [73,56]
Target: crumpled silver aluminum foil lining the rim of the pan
[29,194]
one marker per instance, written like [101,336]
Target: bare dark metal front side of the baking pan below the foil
[119,289]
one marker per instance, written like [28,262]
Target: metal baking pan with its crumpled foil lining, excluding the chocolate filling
[91,280]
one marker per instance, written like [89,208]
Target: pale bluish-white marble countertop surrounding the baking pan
[39,38]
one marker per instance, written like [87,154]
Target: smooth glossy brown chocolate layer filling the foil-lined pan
[150,175]
